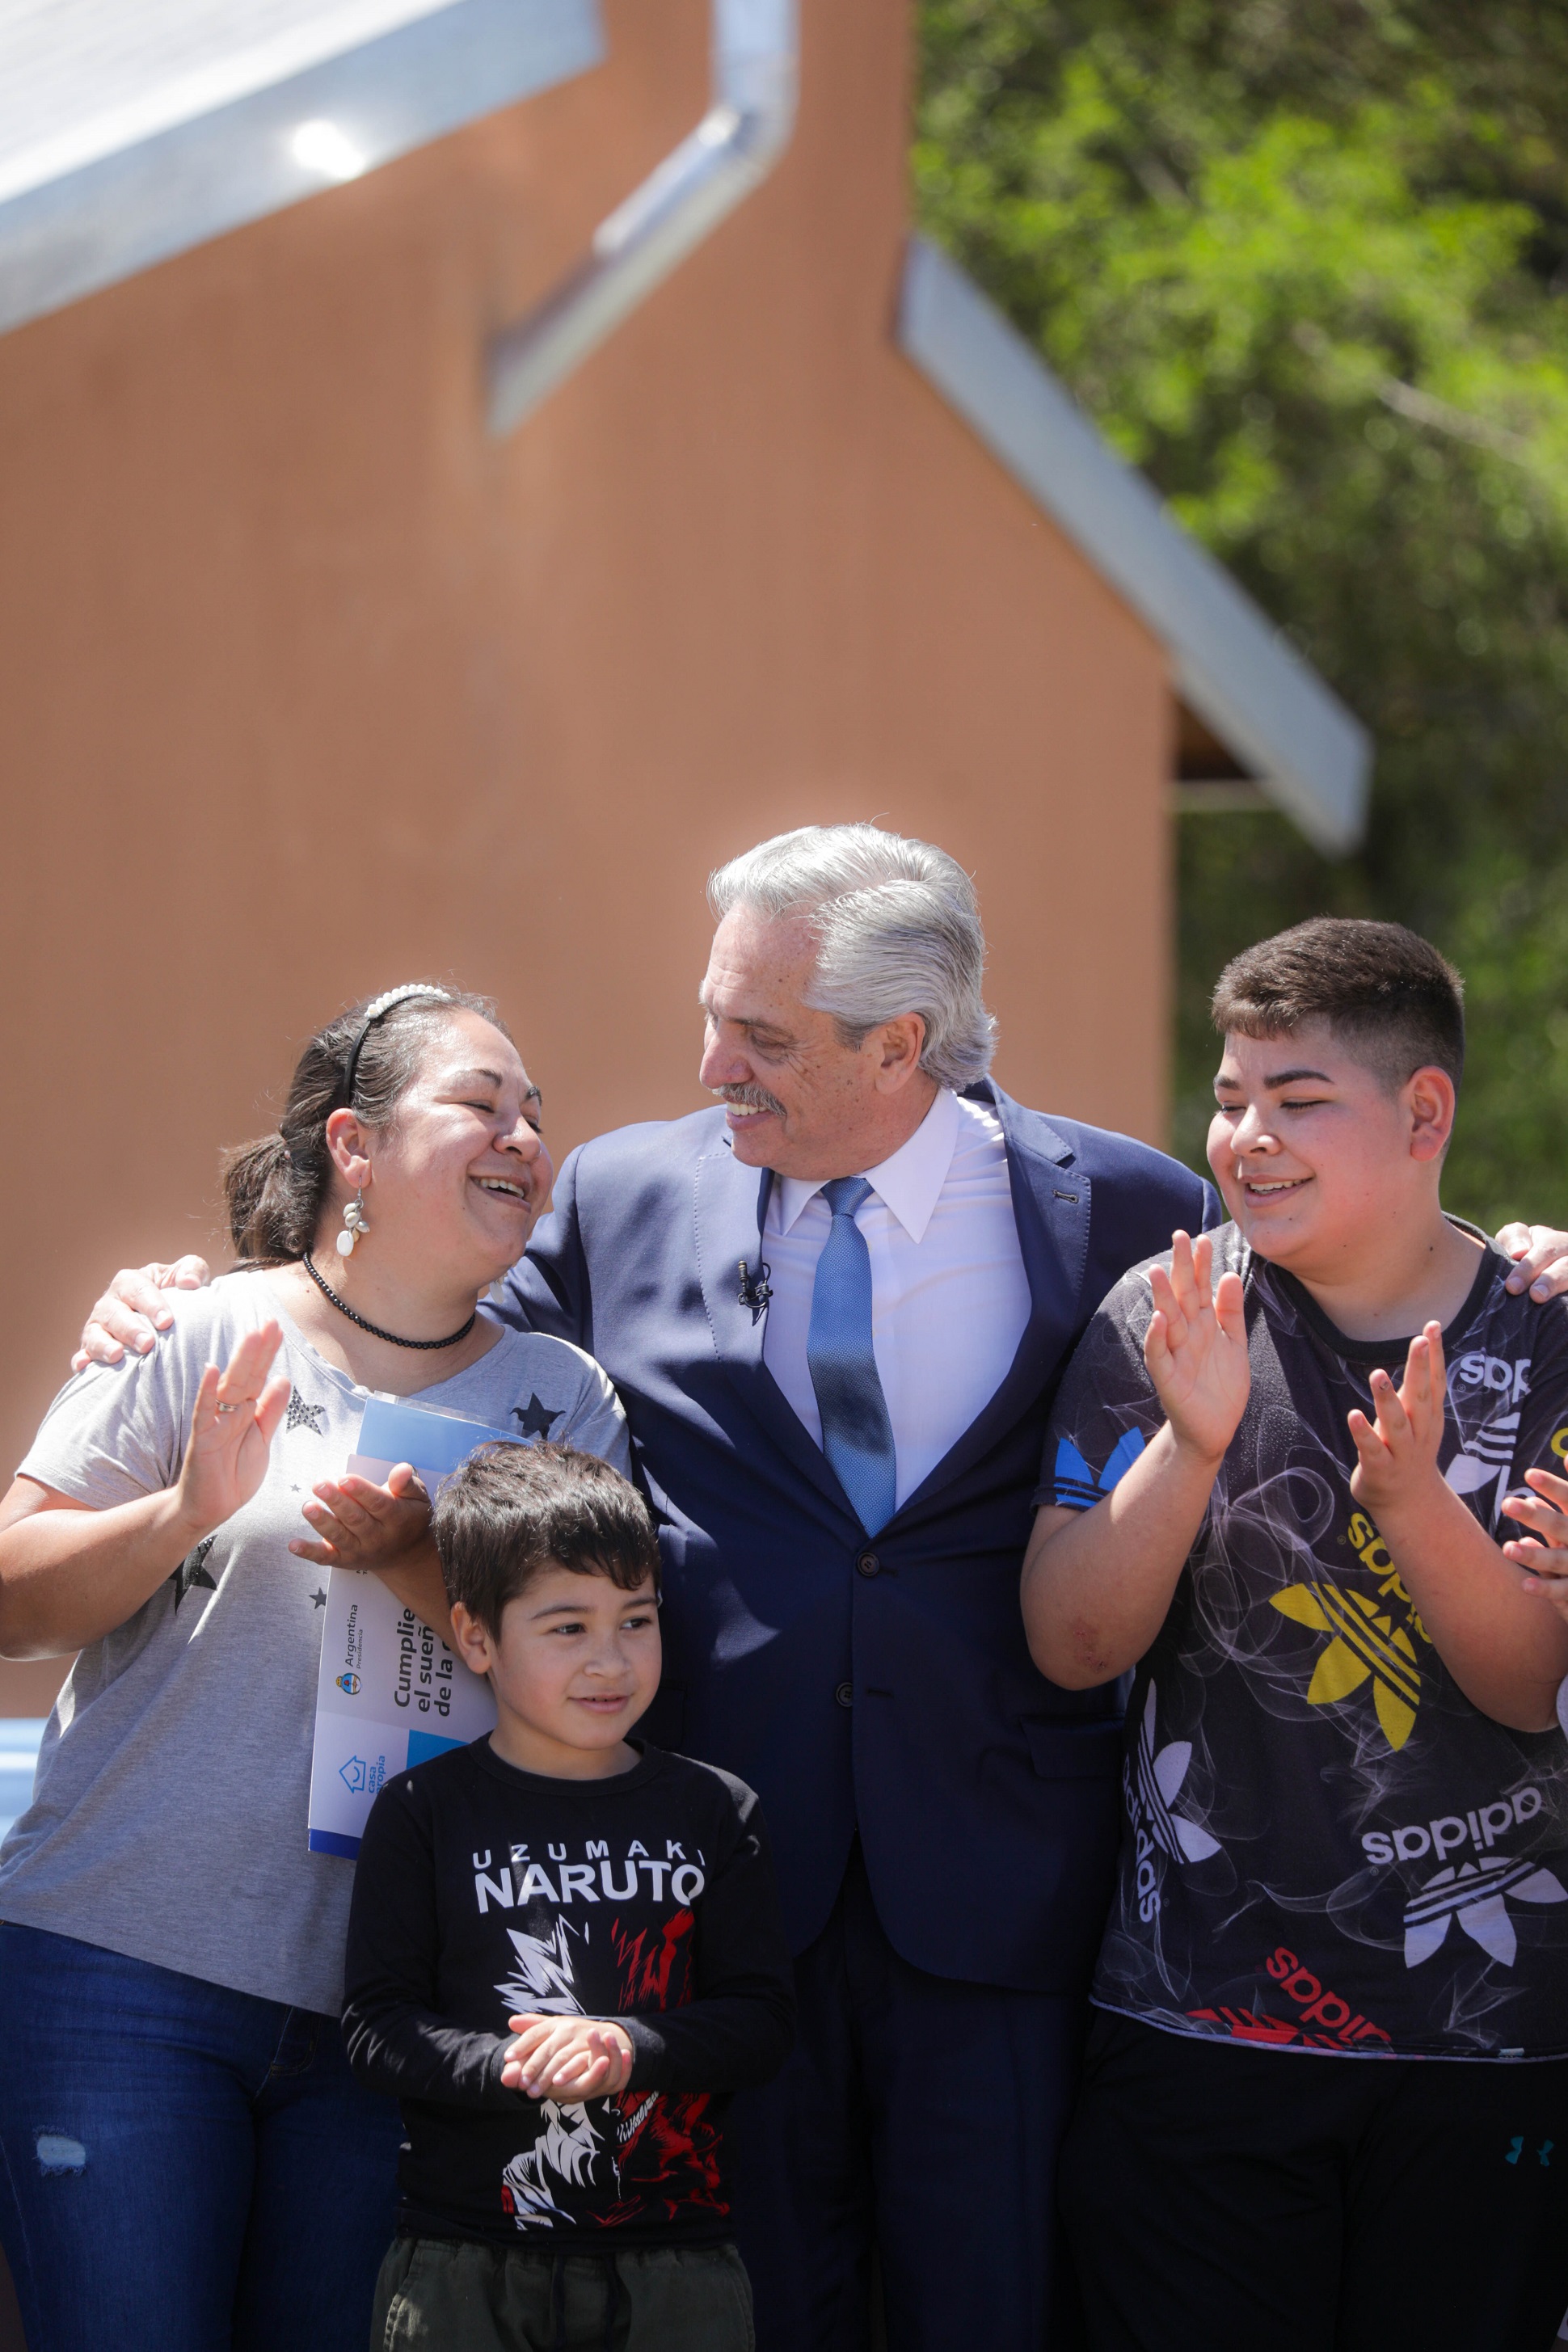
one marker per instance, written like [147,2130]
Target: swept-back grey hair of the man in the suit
[897,928]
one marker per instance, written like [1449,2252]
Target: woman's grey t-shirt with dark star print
[168,1817]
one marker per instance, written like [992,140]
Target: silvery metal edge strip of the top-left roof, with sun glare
[220,171]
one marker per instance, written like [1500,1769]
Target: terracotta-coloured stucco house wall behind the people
[309,688]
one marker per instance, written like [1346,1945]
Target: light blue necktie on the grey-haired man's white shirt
[857,1429]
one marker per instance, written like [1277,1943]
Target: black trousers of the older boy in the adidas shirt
[1228,2198]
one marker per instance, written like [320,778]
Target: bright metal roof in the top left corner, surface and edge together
[133,131]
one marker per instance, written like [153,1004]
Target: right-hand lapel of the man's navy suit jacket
[1052,1210]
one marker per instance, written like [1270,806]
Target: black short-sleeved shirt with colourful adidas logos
[1325,1843]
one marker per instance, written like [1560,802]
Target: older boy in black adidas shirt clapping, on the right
[1327,2097]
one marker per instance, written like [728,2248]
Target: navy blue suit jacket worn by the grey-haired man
[862,1685]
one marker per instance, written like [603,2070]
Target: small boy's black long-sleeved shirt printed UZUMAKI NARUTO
[485,1892]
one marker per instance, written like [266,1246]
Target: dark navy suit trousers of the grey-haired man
[920,2118]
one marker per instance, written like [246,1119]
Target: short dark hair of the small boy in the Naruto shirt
[514,1511]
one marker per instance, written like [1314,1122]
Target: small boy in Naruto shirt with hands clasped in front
[610,1906]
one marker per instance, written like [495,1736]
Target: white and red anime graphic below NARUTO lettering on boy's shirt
[641,2141]
